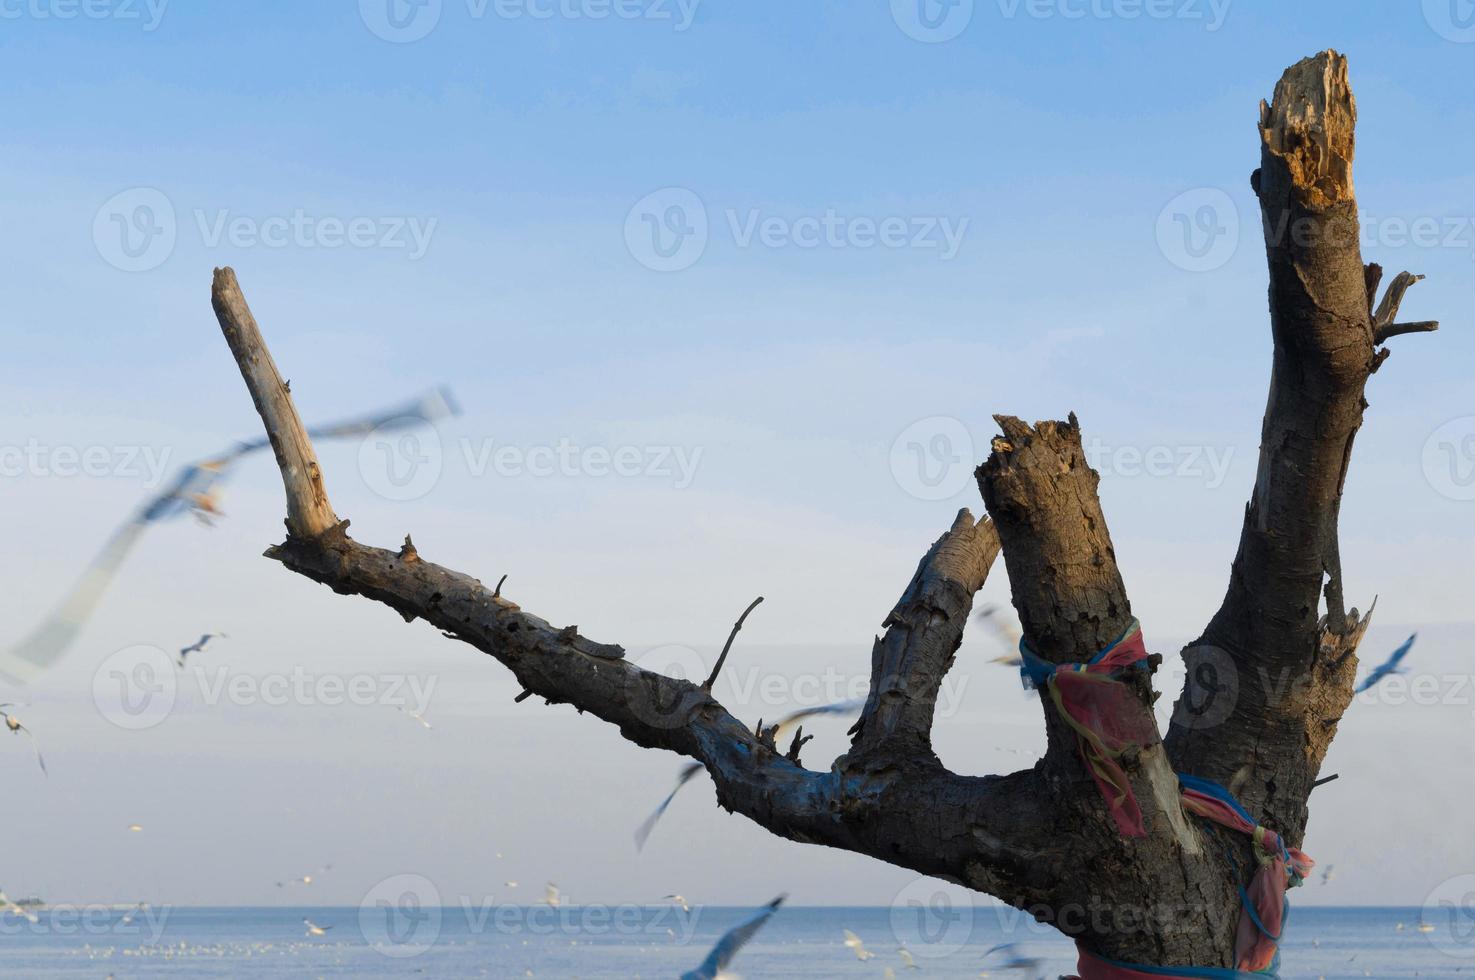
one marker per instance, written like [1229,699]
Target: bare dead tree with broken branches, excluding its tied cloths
[1038,839]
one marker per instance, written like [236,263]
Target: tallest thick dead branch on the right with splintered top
[1293,665]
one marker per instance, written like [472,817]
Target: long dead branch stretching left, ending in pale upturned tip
[985,832]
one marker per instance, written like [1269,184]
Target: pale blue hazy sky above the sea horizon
[1070,224]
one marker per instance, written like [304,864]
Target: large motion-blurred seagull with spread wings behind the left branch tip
[195,492]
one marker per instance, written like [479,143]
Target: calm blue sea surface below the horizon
[629,942]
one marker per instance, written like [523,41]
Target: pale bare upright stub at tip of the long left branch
[309,513]
